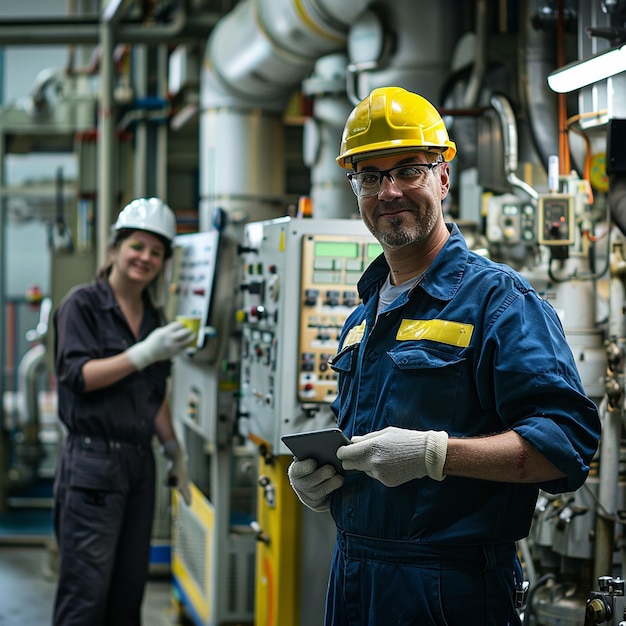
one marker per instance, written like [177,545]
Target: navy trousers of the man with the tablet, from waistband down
[400,583]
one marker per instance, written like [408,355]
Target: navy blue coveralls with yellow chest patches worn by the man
[472,350]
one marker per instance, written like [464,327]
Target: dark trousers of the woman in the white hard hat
[104,506]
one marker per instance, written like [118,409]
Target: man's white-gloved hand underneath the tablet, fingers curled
[314,485]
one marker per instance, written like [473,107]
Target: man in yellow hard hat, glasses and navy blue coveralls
[457,388]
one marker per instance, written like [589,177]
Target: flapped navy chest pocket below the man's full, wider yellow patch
[424,386]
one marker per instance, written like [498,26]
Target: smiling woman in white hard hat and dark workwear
[112,359]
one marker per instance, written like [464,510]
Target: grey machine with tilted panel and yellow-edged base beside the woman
[213,544]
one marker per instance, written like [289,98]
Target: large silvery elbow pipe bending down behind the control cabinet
[255,59]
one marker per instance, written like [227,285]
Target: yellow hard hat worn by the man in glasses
[392,118]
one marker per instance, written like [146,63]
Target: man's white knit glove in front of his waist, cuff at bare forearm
[396,455]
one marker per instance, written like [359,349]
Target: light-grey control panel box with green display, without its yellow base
[299,285]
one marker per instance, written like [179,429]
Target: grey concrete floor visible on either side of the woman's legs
[27,586]
